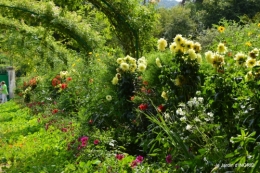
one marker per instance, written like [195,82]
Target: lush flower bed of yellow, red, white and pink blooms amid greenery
[191,105]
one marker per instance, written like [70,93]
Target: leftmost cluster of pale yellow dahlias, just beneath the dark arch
[129,64]
